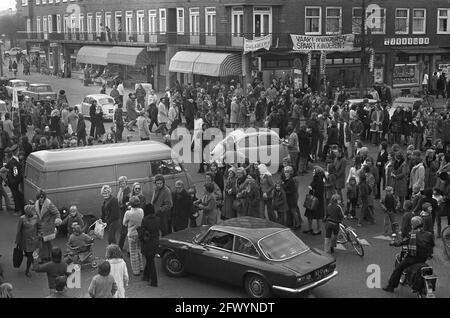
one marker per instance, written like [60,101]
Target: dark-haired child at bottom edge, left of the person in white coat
[103,284]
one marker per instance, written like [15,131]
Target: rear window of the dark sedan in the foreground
[282,245]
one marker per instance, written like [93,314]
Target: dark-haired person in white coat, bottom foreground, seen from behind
[119,269]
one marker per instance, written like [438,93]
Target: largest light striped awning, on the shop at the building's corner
[207,63]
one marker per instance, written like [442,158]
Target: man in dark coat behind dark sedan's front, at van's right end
[182,207]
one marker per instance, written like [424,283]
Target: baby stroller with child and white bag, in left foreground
[84,255]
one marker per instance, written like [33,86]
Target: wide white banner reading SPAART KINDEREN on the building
[323,43]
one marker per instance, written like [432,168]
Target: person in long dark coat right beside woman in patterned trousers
[149,238]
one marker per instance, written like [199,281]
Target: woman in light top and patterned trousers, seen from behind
[132,220]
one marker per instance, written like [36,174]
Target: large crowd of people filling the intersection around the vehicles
[320,127]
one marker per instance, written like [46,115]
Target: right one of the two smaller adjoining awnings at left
[132,56]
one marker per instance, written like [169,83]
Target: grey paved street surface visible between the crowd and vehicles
[351,282]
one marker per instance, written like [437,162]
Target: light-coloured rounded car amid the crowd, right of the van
[262,145]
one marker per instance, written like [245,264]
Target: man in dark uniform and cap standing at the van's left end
[14,176]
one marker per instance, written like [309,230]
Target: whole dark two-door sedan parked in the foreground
[260,255]
